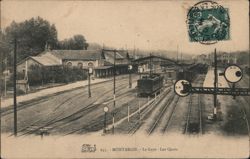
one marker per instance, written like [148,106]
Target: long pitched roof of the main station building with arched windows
[77,54]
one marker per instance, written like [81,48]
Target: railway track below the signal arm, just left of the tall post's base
[194,123]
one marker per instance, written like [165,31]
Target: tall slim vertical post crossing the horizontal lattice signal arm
[215,84]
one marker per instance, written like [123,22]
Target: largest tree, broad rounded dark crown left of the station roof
[32,35]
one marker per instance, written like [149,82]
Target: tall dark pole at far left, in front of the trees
[14,84]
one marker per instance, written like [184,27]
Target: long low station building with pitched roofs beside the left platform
[102,62]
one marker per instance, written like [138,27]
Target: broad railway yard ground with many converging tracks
[73,112]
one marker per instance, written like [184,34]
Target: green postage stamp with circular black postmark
[208,22]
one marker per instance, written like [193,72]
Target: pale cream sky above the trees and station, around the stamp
[147,25]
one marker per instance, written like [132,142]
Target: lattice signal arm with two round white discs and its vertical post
[232,74]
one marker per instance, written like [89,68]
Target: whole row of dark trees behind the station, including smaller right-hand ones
[32,37]
